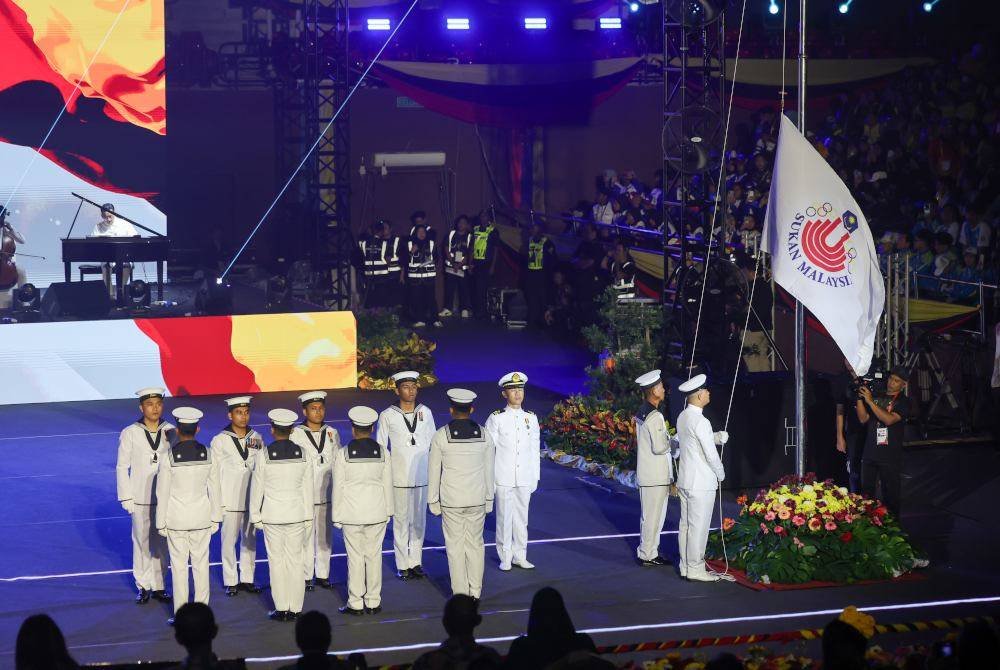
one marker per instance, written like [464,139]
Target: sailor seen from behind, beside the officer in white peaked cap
[460,489]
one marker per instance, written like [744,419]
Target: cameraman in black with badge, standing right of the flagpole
[882,459]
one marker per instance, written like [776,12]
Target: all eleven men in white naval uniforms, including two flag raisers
[302,482]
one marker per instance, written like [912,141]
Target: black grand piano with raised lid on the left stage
[115,249]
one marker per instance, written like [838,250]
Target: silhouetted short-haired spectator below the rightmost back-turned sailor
[460,650]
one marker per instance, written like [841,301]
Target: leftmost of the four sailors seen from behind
[189,507]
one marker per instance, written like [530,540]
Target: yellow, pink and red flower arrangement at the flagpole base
[800,530]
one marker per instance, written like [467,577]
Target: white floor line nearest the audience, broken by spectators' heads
[667,624]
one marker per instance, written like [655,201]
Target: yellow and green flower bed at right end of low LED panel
[385,347]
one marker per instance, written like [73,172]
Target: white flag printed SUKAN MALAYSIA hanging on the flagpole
[821,249]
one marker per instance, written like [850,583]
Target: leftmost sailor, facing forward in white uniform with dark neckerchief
[140,447]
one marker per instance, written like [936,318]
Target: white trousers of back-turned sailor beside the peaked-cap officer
[463,543]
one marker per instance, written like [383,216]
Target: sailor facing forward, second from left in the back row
[235,451]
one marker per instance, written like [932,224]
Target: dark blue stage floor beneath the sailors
[66,548]
